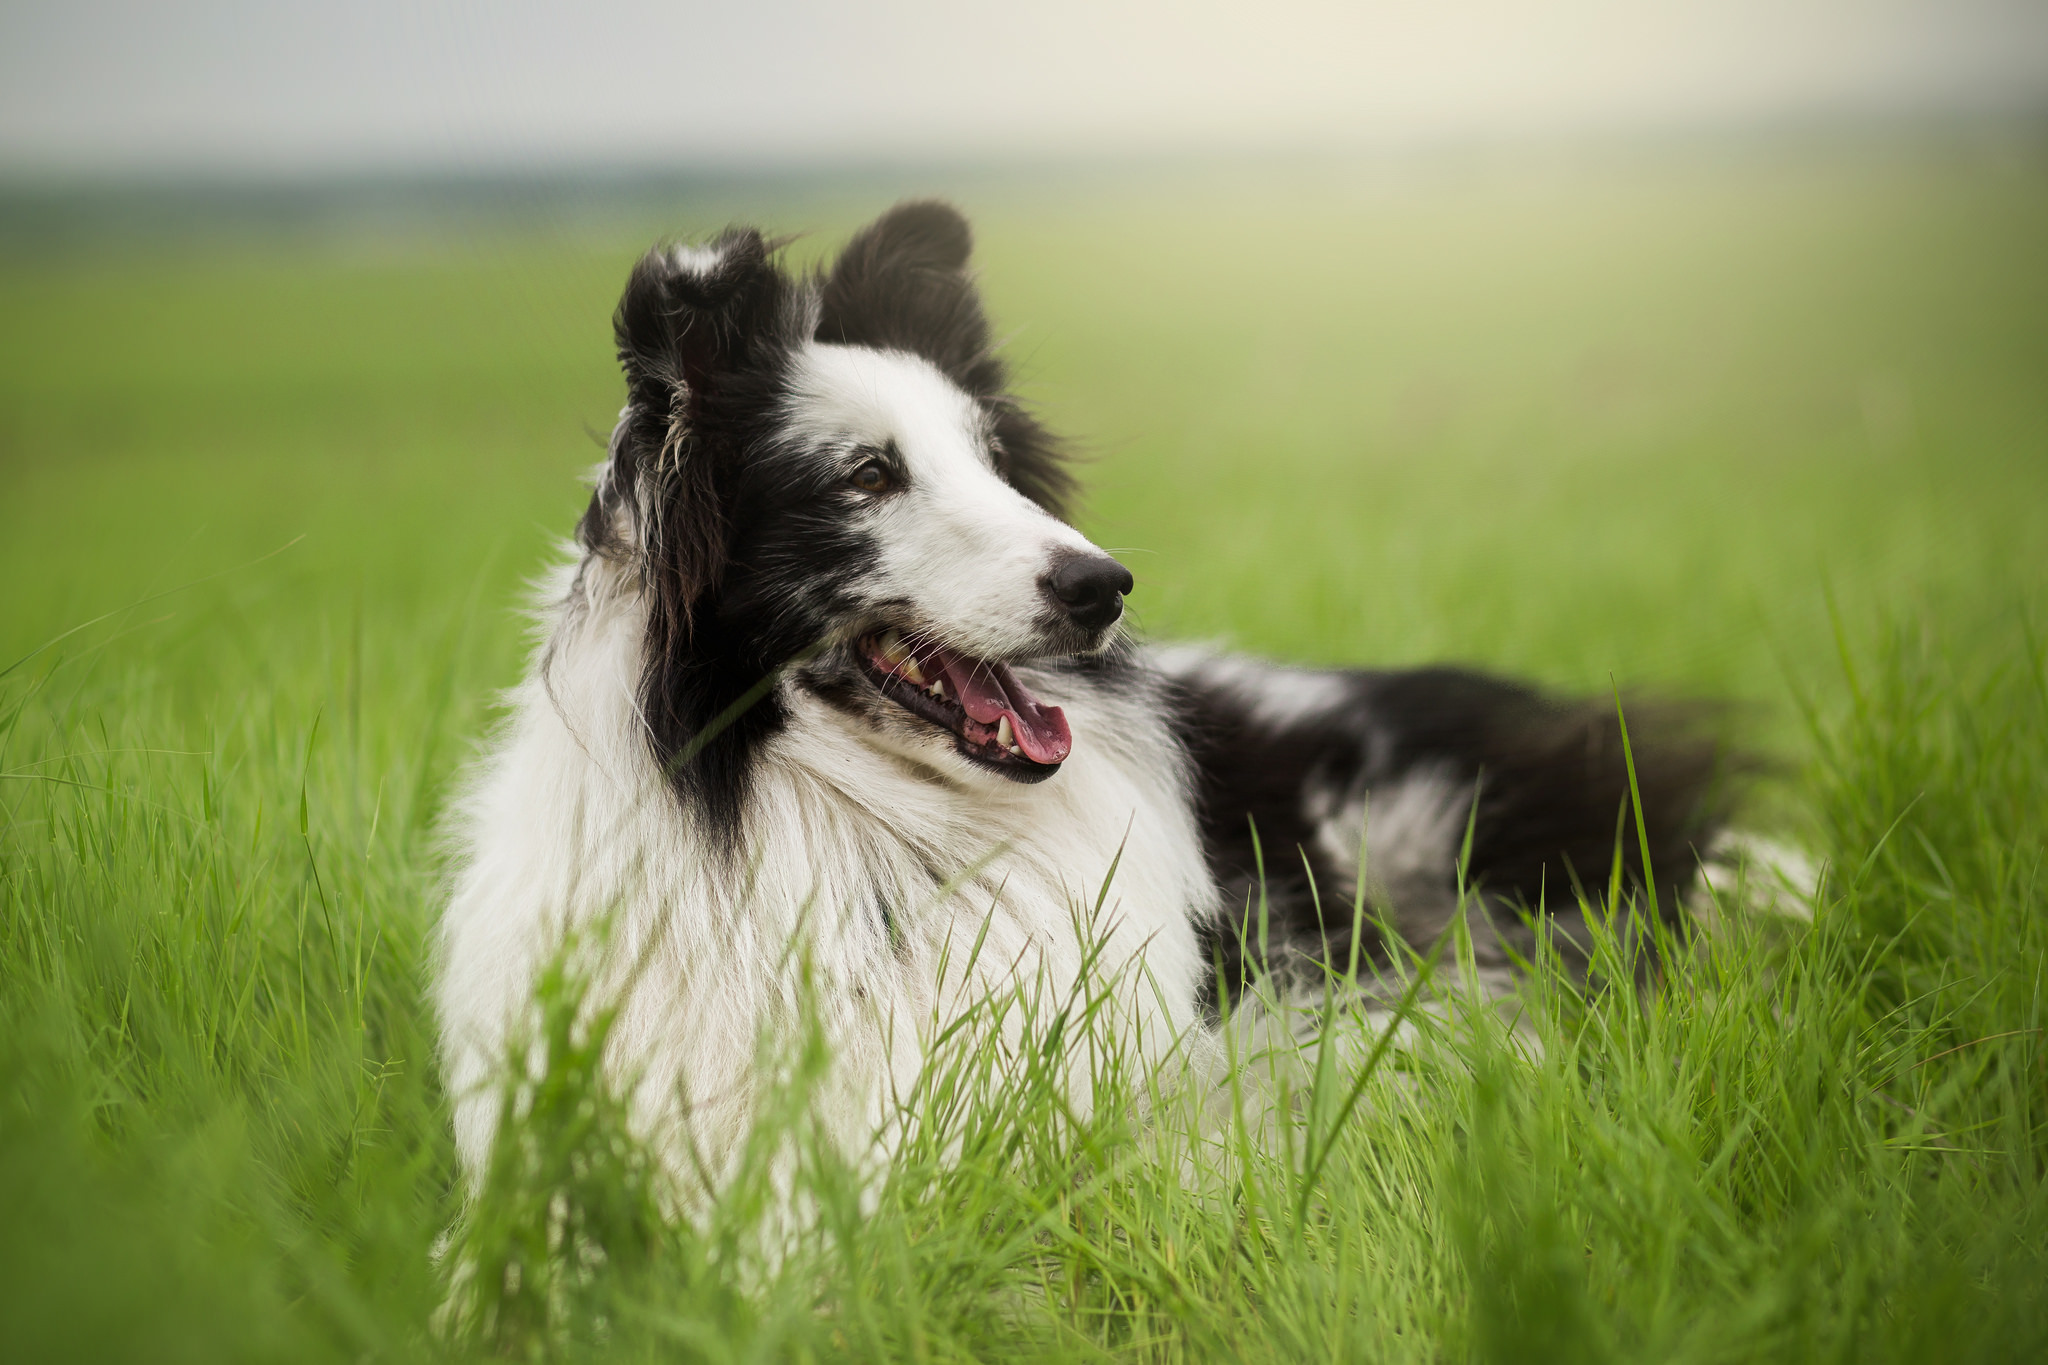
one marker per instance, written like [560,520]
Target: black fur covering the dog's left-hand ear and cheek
[710,504]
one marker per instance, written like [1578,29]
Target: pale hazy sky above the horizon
[278,87]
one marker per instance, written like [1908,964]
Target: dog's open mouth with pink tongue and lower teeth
[992,717]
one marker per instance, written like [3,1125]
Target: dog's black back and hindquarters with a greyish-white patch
[1445,787]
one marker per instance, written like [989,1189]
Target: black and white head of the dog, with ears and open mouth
[826,480]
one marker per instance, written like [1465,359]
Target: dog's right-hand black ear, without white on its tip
[902,283]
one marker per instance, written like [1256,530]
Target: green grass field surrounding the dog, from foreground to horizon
[1770,429]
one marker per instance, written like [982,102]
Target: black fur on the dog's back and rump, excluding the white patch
[1549,777]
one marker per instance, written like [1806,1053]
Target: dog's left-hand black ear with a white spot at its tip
[701,333]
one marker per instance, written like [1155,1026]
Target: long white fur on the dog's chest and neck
[896,893]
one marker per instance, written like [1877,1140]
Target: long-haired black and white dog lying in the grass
[830,691]
